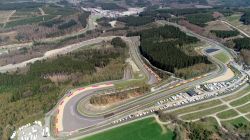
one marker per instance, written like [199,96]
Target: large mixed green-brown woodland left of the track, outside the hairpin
[27,96]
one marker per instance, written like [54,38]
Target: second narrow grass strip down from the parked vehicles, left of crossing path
[200,114]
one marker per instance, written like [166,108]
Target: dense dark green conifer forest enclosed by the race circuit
[161,47]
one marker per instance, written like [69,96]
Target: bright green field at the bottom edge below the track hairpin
[147,129]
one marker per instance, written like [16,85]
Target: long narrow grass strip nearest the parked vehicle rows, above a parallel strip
[196,107]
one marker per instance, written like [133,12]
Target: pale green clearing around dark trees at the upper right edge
[235,21]
